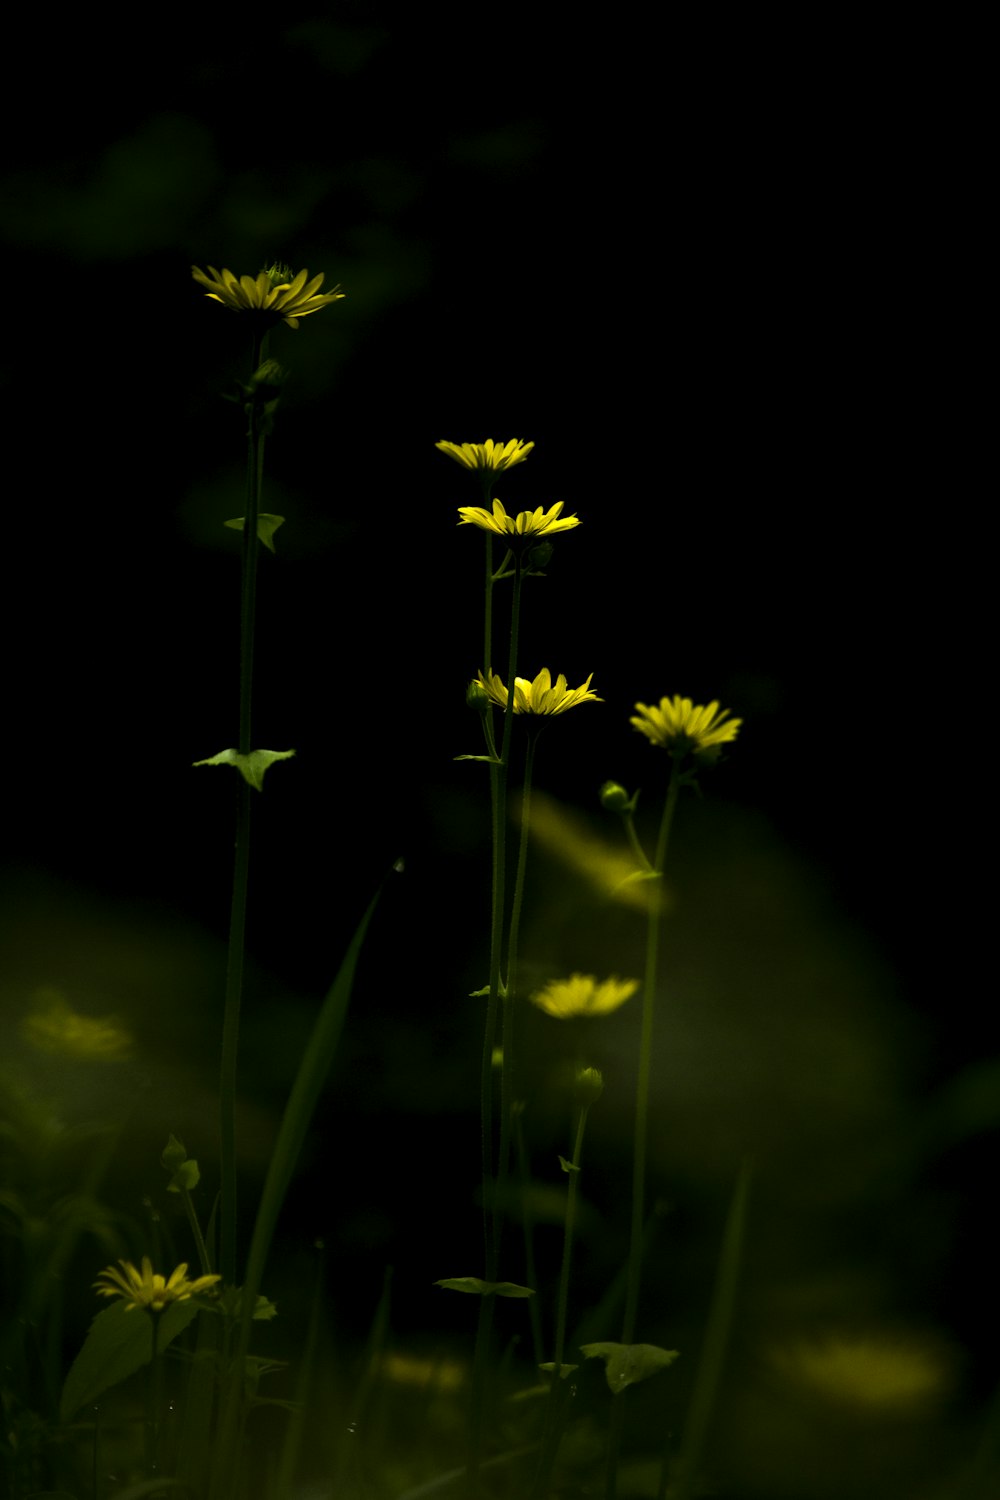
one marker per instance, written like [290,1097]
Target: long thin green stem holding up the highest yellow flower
[242,863]
